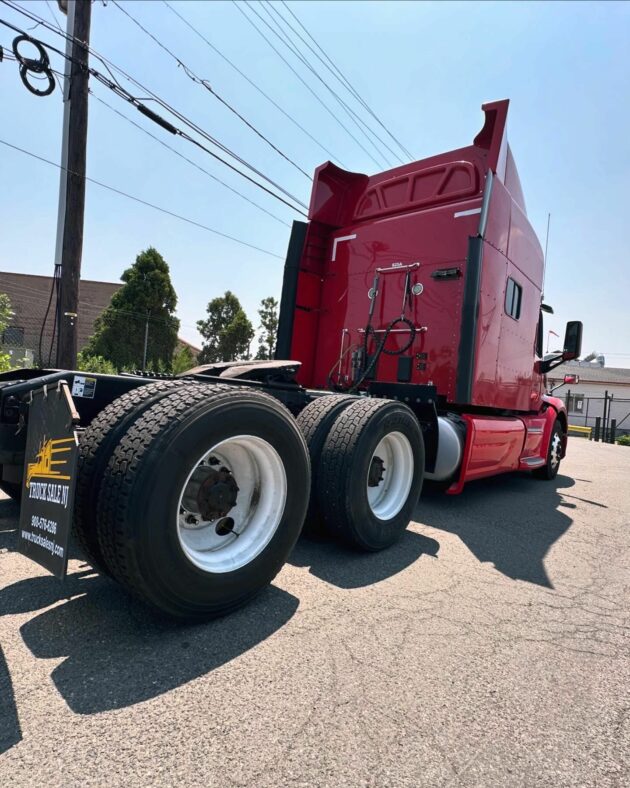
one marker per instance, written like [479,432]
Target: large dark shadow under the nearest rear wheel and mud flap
[118,652]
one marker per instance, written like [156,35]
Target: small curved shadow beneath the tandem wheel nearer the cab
[347,568]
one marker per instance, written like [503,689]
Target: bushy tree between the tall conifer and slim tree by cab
[227,331]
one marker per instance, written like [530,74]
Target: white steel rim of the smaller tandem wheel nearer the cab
[389,496]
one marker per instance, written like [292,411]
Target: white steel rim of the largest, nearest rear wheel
[261,478]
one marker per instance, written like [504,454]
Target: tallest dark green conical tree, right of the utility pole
[144,306]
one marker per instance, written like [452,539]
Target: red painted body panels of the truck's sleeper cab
[408,216]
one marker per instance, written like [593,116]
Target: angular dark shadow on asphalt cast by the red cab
[510,521]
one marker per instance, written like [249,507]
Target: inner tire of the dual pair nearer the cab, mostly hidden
[315,422]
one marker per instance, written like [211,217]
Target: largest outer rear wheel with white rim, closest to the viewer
[204,499]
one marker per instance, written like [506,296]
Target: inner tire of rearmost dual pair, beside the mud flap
[96,445]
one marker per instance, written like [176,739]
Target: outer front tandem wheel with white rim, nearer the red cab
[370,473]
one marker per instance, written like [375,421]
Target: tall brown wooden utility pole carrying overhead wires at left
[69,246]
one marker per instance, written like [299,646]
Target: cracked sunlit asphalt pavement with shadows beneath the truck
[488,648]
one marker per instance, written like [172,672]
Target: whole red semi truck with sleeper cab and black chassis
[409,348]
